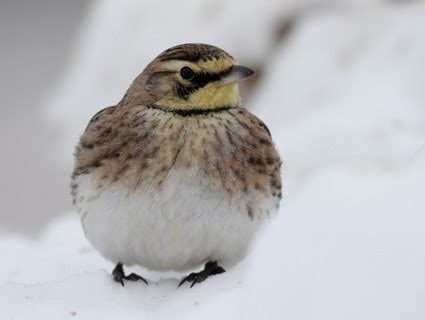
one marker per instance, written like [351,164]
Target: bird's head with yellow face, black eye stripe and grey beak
[189,76]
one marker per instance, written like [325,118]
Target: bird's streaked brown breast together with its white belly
[173,193]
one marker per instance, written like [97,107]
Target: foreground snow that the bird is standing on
[329,255]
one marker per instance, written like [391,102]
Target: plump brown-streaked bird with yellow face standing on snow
[178,175]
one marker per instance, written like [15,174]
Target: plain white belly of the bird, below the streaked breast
[181,226]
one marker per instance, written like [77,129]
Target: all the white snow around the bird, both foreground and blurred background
[341,86]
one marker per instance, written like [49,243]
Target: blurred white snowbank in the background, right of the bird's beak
[350,90]
